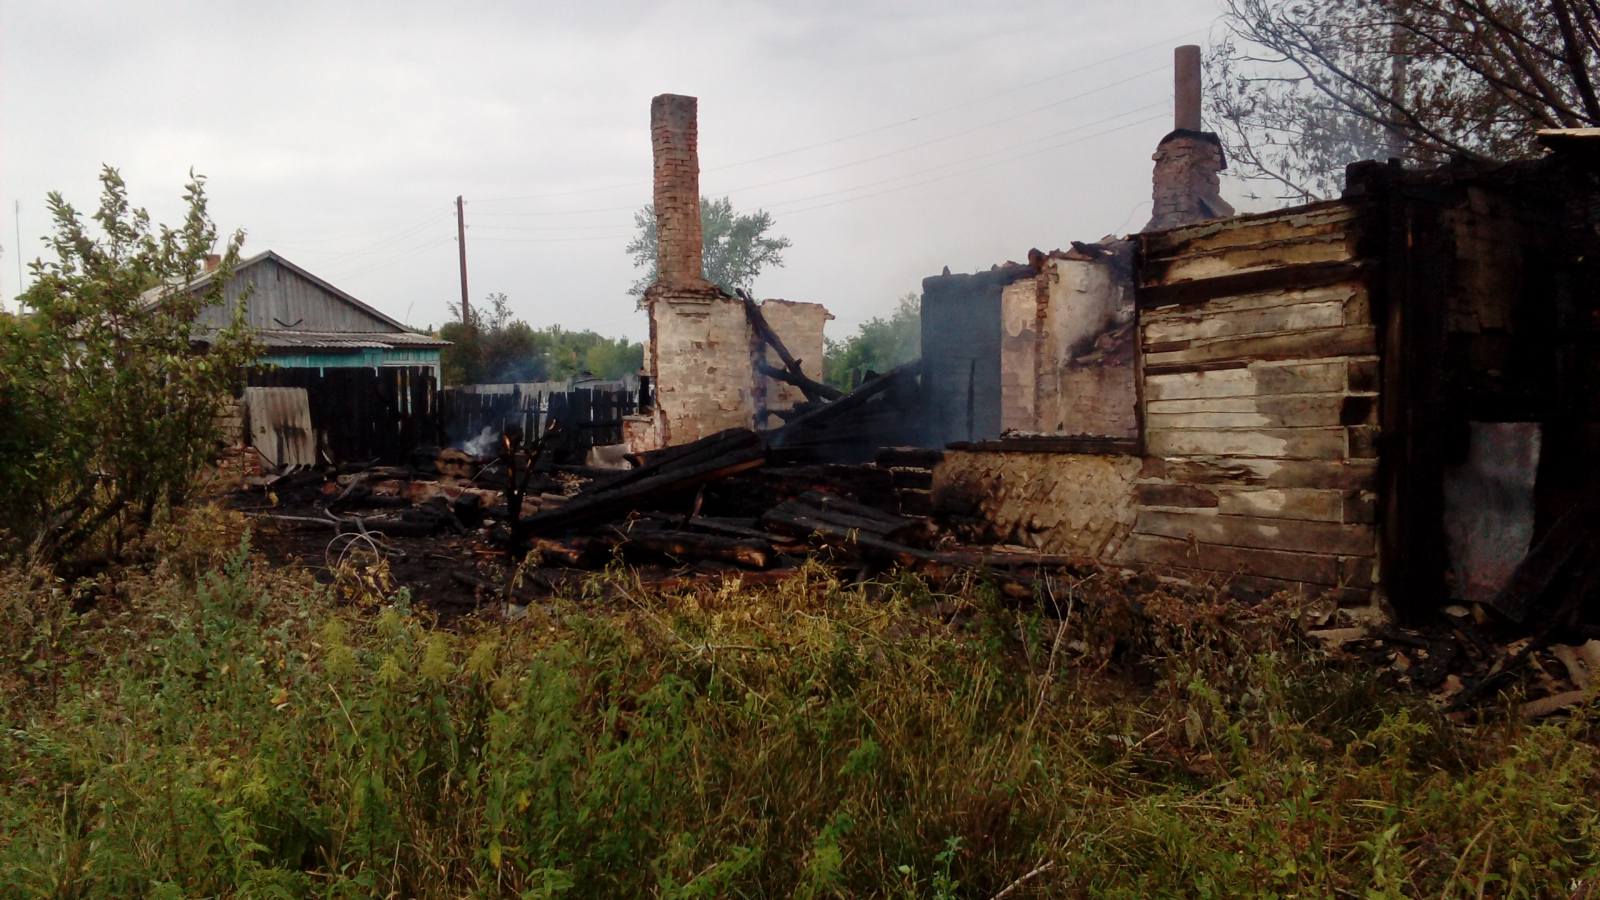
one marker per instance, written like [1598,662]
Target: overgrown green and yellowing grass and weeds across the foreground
[222,728]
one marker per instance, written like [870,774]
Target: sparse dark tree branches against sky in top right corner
[1300,89]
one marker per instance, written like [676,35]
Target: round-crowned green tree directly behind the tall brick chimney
[737,246]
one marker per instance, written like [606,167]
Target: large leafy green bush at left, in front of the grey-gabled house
[110,393]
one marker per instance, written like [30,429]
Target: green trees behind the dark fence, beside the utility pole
[502,348]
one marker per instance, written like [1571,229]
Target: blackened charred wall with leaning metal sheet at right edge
[1490,342]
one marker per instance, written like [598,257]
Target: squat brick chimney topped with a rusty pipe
[1186,187]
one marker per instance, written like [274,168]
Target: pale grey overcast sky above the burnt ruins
[889,140]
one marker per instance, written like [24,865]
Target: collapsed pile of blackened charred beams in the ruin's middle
[742,502]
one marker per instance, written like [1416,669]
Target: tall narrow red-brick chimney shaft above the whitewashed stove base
[676,145]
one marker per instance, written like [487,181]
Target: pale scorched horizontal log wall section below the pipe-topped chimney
[1260,403]
